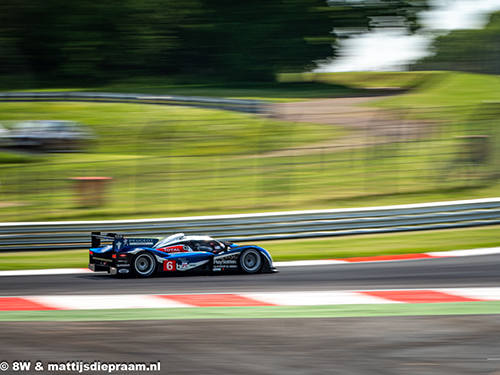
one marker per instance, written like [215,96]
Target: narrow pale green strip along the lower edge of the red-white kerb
[257,312]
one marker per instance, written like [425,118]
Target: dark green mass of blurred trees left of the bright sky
[95,40]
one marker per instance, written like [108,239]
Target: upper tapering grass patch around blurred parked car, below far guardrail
[135,129]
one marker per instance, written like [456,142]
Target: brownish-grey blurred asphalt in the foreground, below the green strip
[383,345]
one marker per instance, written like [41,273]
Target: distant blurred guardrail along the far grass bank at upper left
[247,106]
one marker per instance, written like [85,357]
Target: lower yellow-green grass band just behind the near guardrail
[147,186]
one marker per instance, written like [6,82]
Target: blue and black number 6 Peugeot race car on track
[178,253]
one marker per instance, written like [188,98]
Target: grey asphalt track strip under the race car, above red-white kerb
[475,271]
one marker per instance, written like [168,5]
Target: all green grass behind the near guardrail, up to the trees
[178,161]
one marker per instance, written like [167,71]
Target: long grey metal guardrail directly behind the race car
[260,226]
